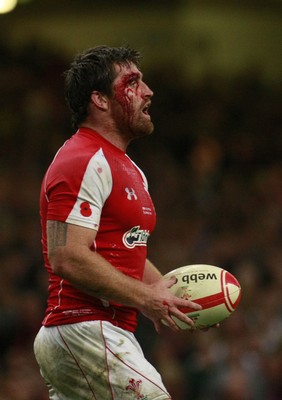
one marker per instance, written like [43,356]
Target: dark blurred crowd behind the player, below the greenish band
[214,170]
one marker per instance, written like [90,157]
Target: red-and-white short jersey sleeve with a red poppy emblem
[77,195]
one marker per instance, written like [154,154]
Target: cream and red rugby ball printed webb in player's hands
[214,288]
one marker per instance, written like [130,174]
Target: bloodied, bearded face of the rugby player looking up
[131,99]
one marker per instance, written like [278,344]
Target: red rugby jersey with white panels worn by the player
[94,184]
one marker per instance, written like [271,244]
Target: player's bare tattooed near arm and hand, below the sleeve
[71,257]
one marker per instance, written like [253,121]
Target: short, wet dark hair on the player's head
[93,70]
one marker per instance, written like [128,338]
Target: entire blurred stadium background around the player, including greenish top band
[213,165]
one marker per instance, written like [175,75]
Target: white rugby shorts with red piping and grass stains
[95,360]
